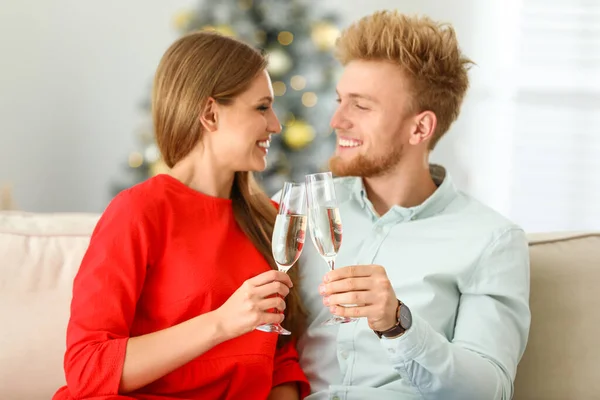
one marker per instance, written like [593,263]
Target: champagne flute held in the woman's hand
[288,235]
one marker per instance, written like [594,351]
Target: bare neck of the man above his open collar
[409,184]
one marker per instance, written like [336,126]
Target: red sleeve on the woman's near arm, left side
[105,292]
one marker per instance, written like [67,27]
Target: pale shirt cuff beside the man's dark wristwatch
[410,344]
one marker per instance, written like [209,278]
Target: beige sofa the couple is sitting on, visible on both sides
[40,253]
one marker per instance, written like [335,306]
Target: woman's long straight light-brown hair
[202,65]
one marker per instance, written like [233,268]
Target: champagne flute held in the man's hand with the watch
[325,225]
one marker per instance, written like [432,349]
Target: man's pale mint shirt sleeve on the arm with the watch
[490,335]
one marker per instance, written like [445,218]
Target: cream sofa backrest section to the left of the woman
[39,256]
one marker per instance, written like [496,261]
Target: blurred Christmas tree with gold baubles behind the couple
[298,38]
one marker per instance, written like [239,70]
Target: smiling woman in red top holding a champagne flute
[179,270]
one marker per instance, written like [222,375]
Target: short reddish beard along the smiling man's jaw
[365,166]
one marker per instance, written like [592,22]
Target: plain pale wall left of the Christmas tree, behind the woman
[72,75]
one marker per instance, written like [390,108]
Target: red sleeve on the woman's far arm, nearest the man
[287,369]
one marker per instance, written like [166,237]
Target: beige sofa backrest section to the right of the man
[561,359]
